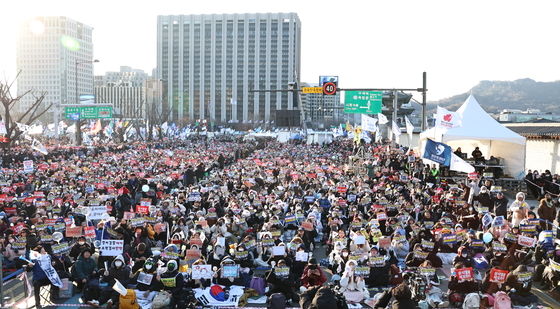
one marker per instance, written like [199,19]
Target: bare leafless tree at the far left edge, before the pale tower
[8,101]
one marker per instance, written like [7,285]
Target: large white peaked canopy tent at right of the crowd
[481,130]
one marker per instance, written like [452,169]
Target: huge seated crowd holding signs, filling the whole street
[197,222]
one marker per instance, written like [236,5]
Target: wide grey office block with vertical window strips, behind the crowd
[209,64]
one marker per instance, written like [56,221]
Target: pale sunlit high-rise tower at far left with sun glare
[48,49]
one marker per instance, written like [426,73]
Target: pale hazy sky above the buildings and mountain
[367,43]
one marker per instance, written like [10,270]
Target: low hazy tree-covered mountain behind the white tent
[494,96]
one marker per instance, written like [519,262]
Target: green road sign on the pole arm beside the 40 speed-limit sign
[363,102]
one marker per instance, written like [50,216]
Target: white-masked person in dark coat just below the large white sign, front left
[118,270]
